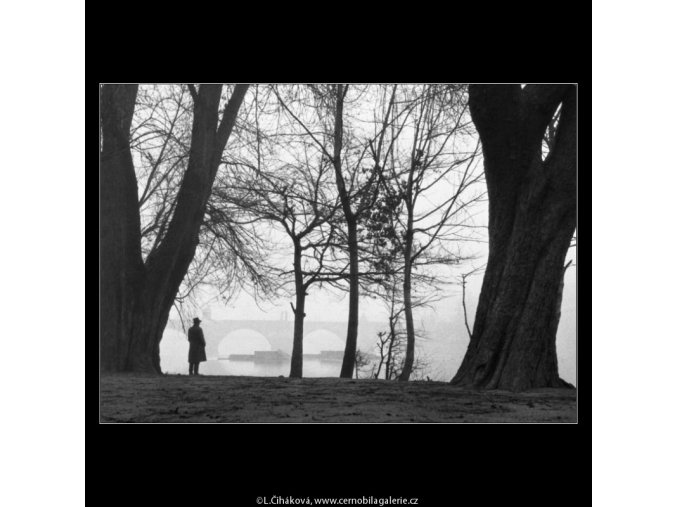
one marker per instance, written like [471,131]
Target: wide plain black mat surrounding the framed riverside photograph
[441,464]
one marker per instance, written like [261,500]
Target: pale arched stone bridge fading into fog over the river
[279,333]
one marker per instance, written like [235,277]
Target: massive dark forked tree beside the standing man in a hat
[137,294]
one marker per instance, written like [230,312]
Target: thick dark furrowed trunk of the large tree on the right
[532,217]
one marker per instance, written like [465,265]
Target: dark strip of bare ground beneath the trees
[180,398]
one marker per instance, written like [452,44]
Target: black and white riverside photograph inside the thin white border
[338,253]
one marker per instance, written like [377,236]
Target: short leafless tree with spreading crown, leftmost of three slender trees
[284,180]
